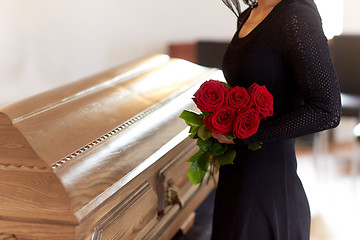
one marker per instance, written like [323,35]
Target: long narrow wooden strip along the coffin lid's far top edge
[78,89]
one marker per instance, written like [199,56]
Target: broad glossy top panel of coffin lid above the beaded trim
[63,126]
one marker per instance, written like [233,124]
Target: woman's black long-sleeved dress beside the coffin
[260,196]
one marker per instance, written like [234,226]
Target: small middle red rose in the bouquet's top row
[239,98]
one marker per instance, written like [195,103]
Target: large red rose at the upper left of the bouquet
[210,96]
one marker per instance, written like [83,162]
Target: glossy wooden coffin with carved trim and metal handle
[104,157]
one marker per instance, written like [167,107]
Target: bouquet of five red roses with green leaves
[235,112]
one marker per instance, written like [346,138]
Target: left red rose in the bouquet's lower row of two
[221,121]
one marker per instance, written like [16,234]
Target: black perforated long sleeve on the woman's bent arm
[306,51]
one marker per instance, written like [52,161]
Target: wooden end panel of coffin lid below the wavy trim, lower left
[30,196]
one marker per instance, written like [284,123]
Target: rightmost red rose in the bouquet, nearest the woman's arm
[262,100]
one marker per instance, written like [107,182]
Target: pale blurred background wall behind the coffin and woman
[47,43]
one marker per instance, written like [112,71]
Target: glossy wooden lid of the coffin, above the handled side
[91,134]
